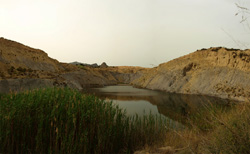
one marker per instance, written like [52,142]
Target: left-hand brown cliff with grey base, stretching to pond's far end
[23,67]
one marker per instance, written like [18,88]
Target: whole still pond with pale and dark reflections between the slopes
[177,107]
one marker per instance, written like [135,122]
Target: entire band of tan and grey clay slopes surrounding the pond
[219,72]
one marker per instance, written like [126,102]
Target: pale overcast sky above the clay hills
[123,32]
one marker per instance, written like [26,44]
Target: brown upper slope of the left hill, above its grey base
[20,61]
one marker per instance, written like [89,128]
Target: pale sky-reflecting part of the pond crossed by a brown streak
[134,100]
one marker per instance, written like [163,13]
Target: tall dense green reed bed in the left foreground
[58,120]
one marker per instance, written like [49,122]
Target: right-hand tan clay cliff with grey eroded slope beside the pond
[219,72]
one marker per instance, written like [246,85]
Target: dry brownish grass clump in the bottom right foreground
[219,131]
